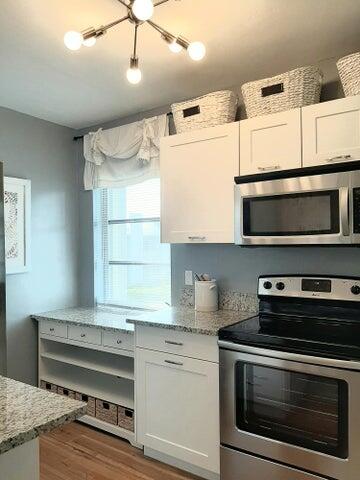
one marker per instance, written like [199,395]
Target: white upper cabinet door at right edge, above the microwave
[331,132]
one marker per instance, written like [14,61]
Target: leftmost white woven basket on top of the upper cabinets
[213,109]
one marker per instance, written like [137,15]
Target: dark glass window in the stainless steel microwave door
[312,213]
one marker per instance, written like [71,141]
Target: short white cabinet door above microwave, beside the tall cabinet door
[271,142]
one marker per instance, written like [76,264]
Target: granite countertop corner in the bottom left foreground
[26,412]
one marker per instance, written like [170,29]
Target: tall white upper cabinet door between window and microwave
[197,172]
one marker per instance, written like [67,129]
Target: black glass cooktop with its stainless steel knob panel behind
[317,316]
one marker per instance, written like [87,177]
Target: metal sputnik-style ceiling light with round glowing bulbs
[139,12]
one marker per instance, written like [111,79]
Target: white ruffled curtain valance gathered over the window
[124,155]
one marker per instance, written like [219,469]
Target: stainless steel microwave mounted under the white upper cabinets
[294,207]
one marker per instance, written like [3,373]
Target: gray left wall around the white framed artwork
[44,153]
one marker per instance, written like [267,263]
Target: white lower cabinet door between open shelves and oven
[177,407]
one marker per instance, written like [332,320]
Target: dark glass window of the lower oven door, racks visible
[296,408]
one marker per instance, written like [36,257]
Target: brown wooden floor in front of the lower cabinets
[78,452]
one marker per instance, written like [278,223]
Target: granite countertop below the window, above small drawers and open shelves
[106,318]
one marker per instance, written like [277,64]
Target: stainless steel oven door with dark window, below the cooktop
[294,413]
